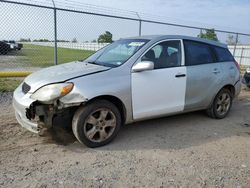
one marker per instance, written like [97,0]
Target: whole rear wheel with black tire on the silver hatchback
[221,105]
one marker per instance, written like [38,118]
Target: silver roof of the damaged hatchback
[162,37]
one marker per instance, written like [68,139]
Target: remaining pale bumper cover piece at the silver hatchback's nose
[22,101]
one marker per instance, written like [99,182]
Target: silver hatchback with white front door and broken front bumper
[130,80]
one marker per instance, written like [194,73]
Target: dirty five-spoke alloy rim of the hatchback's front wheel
[100,125]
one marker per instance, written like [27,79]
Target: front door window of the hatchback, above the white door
[164,55]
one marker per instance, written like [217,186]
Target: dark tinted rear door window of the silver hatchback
[197,53]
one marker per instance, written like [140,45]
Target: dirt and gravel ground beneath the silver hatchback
[189,150]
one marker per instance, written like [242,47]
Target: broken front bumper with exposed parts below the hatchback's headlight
[35,116]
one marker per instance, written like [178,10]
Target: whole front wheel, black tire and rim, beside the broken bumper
[97,123]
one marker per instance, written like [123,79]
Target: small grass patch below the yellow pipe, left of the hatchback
[8,85]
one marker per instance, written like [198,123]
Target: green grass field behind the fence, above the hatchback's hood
[43,56]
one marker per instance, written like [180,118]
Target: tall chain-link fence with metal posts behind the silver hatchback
[36,34]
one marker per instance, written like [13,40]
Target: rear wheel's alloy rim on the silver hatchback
[223,103]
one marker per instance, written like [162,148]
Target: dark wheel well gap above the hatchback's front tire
[116,101]
